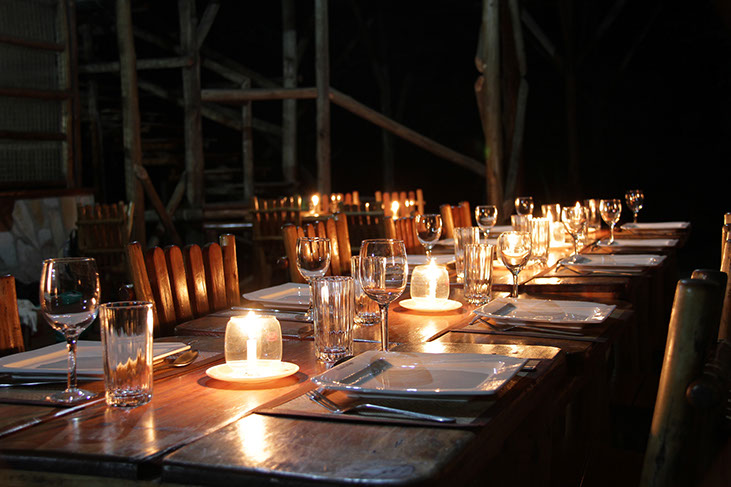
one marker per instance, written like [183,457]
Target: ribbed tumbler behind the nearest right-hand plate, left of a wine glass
[333,300]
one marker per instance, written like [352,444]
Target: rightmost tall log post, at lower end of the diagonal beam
[491,100]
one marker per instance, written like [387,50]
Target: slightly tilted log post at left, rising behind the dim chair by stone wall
[130,116]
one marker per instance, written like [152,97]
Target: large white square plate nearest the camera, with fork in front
[425,374]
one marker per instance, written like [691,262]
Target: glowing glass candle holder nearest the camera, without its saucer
[252,341]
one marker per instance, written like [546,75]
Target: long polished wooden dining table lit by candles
[540,428]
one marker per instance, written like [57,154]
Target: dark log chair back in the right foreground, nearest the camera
[670,458]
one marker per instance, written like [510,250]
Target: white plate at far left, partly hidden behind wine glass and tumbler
[53,359]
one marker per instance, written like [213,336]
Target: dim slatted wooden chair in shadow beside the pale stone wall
[103,232]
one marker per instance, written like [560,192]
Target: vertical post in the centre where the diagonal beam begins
[322,76]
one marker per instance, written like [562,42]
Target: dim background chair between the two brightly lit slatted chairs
[268,216]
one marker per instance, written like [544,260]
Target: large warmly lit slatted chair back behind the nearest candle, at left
[185,283]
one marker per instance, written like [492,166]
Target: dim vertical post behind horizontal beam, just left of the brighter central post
[289,107]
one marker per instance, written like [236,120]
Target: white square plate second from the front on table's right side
[545,311]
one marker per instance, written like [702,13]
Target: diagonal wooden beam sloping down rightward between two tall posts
[406,133]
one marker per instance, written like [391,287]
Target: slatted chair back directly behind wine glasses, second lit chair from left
[335,228]
